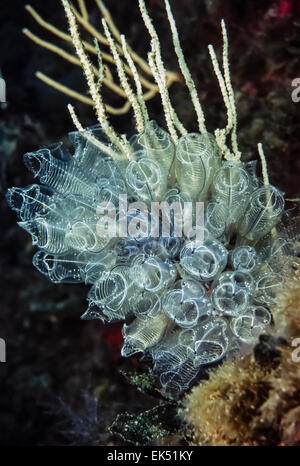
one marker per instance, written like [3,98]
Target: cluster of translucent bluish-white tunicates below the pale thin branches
[186,303]
